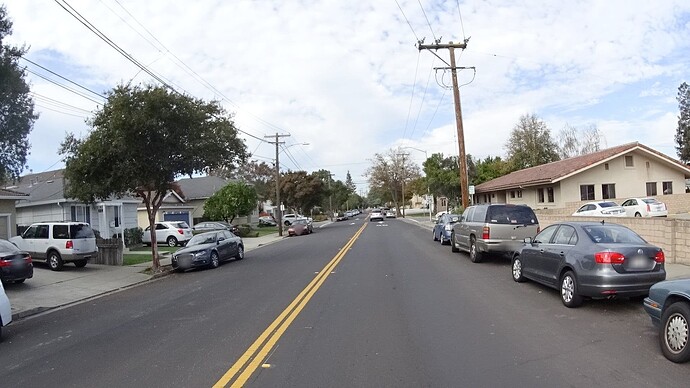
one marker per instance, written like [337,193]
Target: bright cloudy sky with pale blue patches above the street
[345,79]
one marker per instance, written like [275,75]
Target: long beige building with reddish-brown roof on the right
[629,170]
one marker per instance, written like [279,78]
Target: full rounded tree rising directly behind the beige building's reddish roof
[530,143]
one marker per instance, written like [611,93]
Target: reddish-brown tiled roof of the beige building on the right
[556,171]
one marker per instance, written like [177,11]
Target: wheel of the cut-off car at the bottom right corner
[673,335]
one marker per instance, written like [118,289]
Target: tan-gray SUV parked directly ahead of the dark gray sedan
[493,229]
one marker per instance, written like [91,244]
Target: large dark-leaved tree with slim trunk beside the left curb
[141,140]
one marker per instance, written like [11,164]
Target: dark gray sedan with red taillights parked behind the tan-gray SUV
[590,259]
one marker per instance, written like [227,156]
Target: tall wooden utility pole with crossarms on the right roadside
[458,113]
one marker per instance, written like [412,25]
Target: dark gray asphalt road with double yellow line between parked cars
[392,309]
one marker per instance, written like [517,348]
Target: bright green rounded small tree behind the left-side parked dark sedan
[236,199]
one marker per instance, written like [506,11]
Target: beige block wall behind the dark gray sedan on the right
[672,235]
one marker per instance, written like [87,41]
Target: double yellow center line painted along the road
[257,352]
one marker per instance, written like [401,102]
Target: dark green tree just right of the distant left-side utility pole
[301,191]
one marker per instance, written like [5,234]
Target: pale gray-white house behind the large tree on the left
[45,201]
